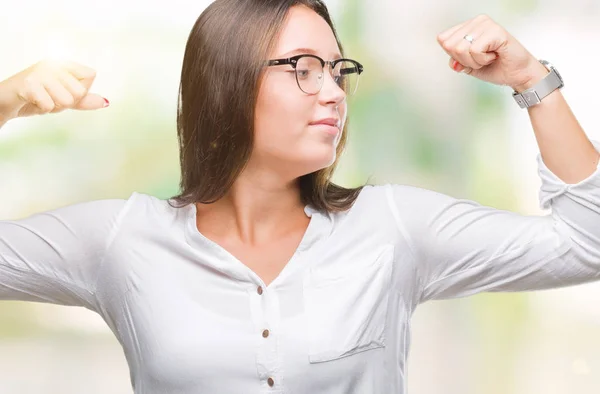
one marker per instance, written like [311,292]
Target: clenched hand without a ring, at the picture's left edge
[48,87]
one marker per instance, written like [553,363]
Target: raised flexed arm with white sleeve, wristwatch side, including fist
[461,247]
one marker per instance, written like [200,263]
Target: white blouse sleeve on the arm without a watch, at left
[55,256]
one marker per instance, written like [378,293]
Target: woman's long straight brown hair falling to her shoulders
[220,79]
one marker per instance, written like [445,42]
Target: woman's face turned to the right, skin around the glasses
[284,137]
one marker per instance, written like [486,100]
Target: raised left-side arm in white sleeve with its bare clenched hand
[54,256]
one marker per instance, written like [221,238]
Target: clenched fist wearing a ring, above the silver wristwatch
[494,56]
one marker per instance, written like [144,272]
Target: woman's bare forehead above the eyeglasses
[304,28]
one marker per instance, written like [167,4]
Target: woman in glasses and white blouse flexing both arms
[262,276]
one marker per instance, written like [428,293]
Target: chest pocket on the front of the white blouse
[346,307]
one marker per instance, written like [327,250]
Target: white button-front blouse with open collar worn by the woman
[191,318]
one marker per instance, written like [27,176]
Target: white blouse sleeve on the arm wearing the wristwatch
[461,247]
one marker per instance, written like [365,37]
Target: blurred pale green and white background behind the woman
[413,121]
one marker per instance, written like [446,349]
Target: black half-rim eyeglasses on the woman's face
[310,76]
